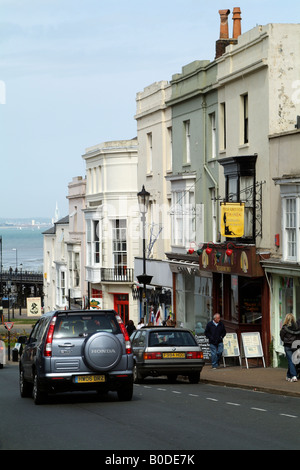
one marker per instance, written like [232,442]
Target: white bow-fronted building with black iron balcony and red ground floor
[112,226]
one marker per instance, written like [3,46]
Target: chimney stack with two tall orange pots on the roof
[224,34]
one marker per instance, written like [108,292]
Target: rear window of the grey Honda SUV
[84,325]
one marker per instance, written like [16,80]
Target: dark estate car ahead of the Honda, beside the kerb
[166,351]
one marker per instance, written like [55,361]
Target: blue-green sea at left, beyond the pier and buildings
[22,247]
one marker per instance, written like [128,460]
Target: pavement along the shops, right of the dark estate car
[262,379]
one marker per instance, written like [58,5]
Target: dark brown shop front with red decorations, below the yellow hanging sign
[240,289]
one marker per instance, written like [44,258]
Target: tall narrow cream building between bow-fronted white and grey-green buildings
[154,134]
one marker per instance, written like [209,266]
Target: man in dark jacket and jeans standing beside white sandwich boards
[215,332]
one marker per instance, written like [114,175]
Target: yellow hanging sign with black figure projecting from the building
[232,219]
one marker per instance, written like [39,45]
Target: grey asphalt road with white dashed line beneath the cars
[161,416]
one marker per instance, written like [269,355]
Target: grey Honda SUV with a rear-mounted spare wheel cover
[77,350]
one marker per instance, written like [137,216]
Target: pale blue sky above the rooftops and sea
[70,71]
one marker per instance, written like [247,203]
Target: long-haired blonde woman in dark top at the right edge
[289,333]
